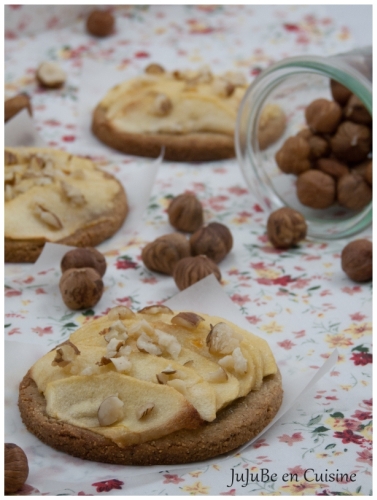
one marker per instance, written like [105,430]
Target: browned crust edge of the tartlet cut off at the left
[108,223]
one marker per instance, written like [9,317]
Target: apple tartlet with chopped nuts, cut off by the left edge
[53,196]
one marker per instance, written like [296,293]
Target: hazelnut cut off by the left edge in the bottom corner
[16,468]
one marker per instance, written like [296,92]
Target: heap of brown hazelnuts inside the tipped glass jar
[332,155]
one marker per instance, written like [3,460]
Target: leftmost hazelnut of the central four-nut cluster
[162,254]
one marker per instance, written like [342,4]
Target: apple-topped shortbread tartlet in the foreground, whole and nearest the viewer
[153,387]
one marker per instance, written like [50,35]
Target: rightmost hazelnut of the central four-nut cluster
[213,240]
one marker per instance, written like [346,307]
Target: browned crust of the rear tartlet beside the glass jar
[185,147]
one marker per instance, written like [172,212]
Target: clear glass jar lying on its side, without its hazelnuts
[292,84]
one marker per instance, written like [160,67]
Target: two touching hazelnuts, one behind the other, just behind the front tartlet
[81,284]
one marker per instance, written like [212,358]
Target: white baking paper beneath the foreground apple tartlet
[206,296]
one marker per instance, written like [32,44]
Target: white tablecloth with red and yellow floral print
[299,300]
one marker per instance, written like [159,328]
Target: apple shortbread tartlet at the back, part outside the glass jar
[190,114]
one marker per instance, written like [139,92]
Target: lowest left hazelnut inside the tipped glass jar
[316,189]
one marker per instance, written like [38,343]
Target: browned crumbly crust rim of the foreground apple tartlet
[234,426]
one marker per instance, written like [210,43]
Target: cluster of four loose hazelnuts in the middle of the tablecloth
[188,259]
